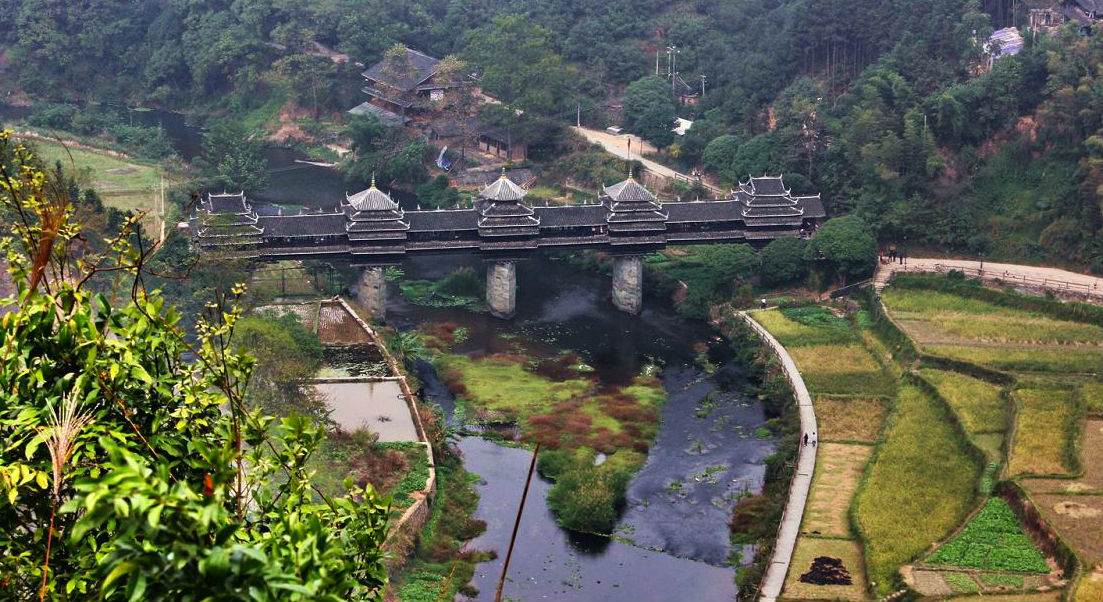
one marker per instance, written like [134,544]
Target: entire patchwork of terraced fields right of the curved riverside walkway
[926,460]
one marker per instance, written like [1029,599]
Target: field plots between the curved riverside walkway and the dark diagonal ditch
[866,470]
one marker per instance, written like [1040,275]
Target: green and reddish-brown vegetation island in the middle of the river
[559,403]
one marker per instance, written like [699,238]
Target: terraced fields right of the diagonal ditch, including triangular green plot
[1022,378]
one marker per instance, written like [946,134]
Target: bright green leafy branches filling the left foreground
[124,465]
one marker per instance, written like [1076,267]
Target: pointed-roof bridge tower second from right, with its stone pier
[635,219]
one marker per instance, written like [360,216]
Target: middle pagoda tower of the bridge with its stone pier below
[506,224]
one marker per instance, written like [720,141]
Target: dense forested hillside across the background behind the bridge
[883,106]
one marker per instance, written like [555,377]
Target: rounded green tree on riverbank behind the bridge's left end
[234,159]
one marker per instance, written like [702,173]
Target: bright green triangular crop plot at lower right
[992,541]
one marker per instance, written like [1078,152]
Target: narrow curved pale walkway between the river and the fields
[802,480]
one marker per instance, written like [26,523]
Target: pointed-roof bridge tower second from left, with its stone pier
[376,225]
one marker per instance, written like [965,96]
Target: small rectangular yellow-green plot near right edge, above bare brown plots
[1044,432]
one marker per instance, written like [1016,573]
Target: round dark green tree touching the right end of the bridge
[845,248]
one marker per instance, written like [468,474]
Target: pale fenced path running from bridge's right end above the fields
[1035,276]
